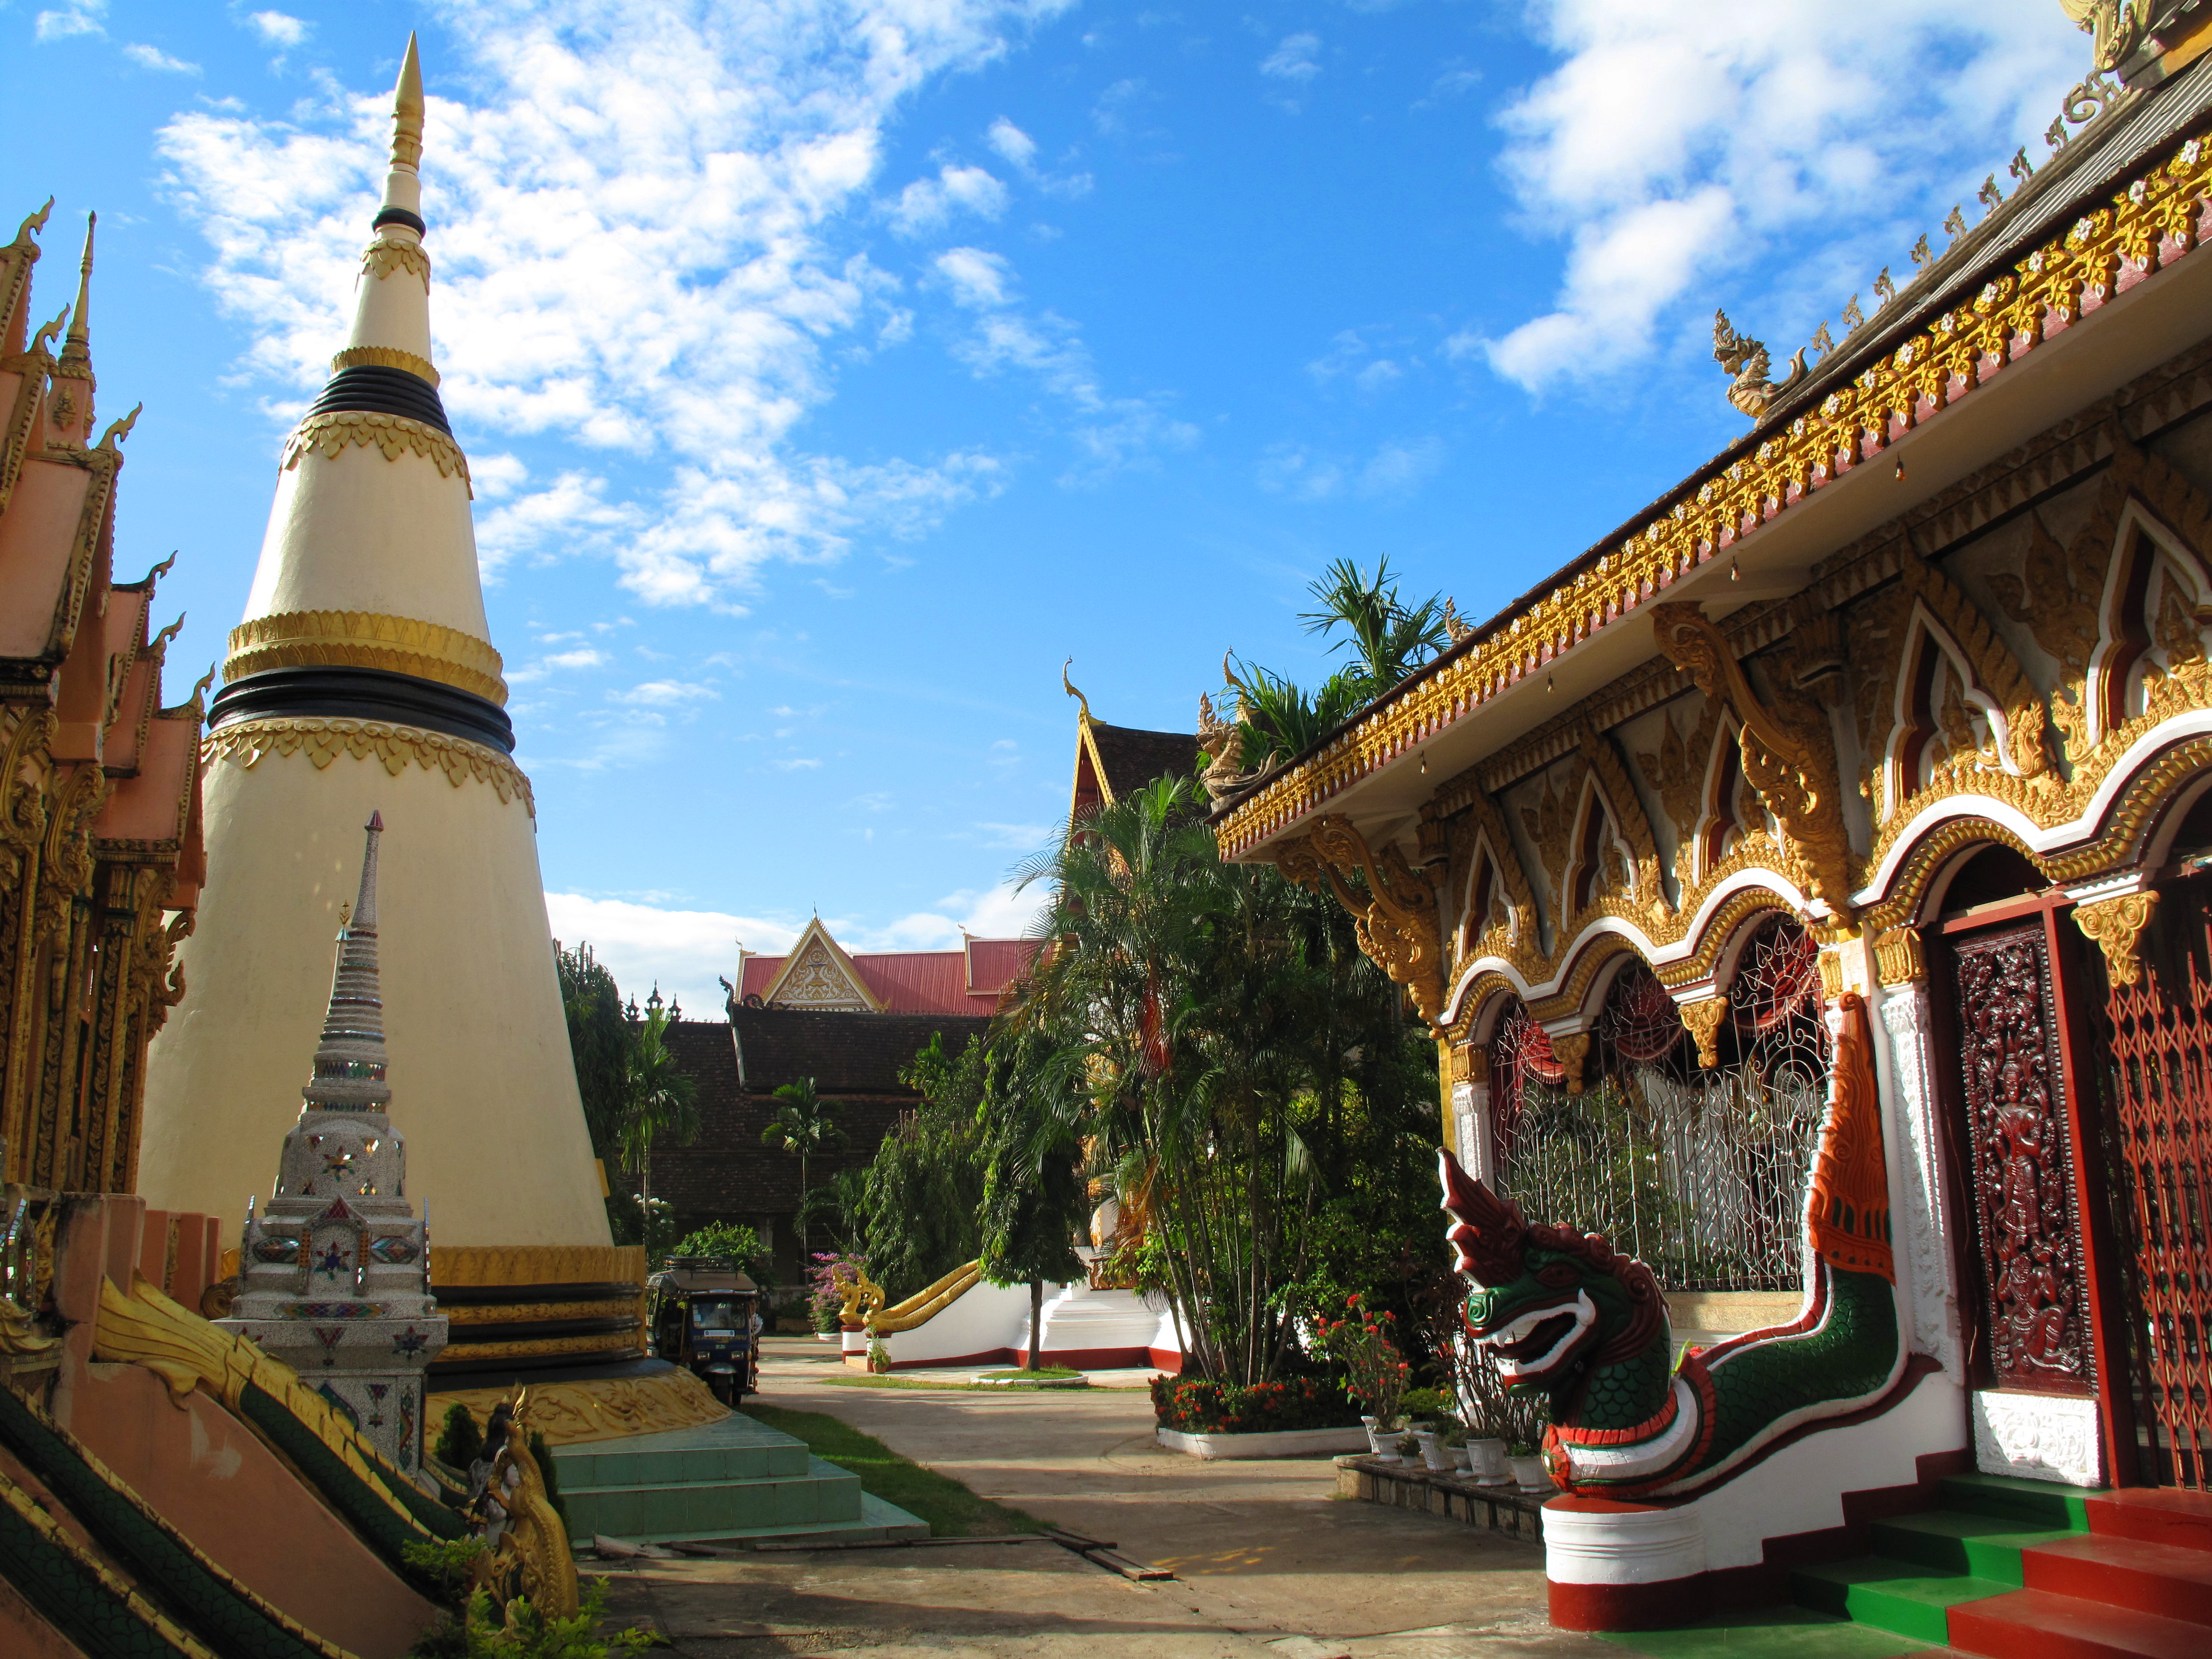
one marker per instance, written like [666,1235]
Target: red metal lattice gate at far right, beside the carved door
[2160,1145]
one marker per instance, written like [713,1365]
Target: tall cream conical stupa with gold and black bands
[364,678]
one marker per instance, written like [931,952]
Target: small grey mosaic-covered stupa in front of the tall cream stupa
[337,1269]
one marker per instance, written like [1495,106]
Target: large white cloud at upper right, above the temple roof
[1682,140]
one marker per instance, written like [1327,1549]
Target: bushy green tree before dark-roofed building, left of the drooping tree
[924,1191]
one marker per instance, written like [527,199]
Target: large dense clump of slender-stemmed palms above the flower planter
[1238,1061]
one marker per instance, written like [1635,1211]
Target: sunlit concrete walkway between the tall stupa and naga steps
[1269,1561]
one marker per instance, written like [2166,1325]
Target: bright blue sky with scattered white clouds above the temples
[831,373]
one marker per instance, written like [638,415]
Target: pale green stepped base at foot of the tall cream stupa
[733,1479]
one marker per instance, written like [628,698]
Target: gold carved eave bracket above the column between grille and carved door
[1786,751]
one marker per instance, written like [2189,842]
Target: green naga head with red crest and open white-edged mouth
[1547,1304]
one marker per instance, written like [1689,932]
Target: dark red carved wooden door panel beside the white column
[2034,1286]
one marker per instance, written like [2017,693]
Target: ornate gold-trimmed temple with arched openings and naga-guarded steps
[1859,789]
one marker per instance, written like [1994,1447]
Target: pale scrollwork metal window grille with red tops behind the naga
[1698,1171]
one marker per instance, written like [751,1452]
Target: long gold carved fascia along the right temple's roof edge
[2151,220]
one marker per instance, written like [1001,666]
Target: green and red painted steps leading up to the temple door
[2027,1569]
